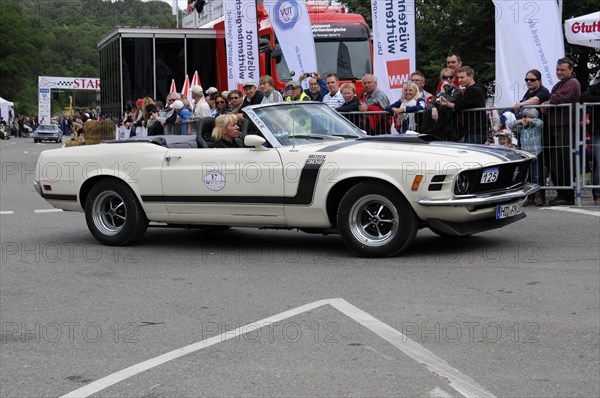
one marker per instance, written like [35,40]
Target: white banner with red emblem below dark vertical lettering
[394,44]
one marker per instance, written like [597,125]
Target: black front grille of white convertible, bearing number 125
[510,175]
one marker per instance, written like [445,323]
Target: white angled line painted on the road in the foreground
[460,382]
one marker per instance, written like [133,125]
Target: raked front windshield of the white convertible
[296,124]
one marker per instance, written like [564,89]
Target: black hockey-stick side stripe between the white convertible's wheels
[304,195]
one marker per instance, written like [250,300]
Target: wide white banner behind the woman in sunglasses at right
[528,36]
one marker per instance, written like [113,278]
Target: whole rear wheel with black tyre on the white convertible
[113,214]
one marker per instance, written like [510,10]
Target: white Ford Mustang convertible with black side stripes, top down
[304,167]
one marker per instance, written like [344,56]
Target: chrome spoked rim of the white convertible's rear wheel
[109,213]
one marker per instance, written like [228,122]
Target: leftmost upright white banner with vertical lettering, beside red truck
[241,42]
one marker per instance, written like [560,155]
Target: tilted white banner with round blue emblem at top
[292,27]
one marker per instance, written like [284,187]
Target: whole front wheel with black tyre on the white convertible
[376,220]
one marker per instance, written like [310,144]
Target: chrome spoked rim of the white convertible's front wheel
[373,220]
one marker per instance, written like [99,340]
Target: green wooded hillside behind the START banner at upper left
[58,38]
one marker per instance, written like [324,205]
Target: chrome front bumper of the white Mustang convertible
[484,198]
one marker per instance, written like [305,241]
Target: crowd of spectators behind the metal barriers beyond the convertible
[455,112]
